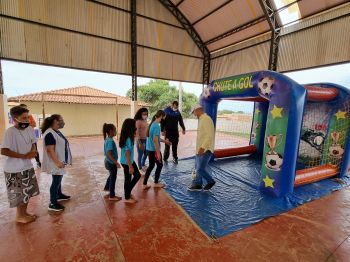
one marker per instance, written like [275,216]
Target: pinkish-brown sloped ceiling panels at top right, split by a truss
[215,19]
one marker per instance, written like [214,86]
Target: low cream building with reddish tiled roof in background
[84,109]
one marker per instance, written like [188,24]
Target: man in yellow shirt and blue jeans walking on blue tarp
[204,150]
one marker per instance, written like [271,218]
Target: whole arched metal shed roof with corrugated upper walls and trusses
[183,40]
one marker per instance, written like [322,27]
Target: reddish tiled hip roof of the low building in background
[76,95]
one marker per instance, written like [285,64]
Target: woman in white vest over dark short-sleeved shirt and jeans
[56,155]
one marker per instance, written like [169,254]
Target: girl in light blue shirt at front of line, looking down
[153,149]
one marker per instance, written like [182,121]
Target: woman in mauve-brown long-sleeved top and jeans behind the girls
[141,136]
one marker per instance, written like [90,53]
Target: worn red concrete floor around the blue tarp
[157,229]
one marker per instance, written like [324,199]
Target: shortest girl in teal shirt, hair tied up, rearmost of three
[111,159]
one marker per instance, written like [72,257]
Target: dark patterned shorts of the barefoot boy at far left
[21,186]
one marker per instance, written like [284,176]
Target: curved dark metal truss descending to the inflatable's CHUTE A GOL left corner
[194,35]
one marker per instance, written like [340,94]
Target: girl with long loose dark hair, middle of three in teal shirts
[126,143]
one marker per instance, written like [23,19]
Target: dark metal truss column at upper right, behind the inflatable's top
[271,16]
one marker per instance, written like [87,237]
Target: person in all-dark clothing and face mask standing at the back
[170,126]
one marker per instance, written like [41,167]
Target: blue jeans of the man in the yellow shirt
[202,169]
